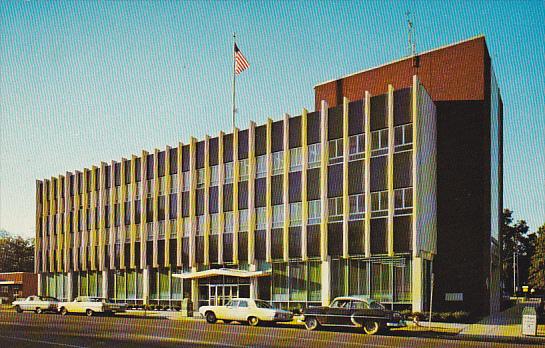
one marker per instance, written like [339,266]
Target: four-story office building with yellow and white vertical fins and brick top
[342,200]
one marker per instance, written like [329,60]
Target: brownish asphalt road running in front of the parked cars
[51,330]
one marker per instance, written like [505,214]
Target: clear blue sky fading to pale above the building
[85,82]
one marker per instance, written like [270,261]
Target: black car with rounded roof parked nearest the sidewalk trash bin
[356,311]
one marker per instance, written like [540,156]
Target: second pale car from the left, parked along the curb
[91,306]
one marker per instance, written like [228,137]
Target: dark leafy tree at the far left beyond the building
[16,254]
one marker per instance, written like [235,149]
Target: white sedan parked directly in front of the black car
[245,310]
